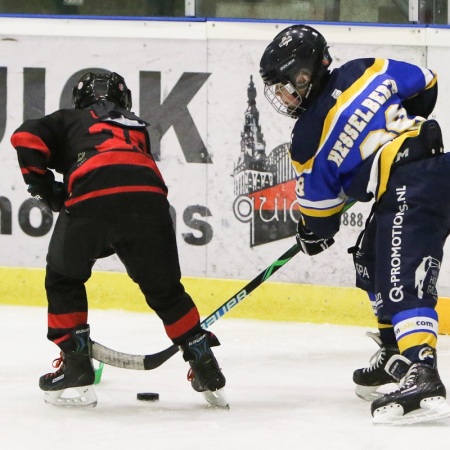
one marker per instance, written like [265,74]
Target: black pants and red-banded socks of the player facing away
[145,244]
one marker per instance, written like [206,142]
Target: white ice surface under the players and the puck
[289,385]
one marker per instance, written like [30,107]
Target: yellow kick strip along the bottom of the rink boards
[271,301]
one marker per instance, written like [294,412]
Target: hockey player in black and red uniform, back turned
[113,200]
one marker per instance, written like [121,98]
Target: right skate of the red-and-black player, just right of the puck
[205,374]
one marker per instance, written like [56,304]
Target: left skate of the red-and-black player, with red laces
[75,370]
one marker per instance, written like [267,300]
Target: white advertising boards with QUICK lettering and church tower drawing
[221,147]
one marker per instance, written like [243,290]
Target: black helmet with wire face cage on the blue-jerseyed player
[296,49]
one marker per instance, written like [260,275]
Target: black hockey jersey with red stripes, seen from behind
[102,151]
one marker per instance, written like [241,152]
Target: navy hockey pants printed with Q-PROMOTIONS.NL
[401,251]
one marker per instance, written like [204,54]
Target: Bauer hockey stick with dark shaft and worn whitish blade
[152,361]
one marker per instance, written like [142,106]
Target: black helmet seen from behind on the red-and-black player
[101,86]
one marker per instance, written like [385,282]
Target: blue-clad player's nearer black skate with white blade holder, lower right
[420,398]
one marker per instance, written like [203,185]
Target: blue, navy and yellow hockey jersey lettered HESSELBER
[344,144]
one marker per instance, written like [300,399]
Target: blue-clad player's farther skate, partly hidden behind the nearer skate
[369,379]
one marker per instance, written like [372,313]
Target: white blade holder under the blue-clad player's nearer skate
[431,409]
